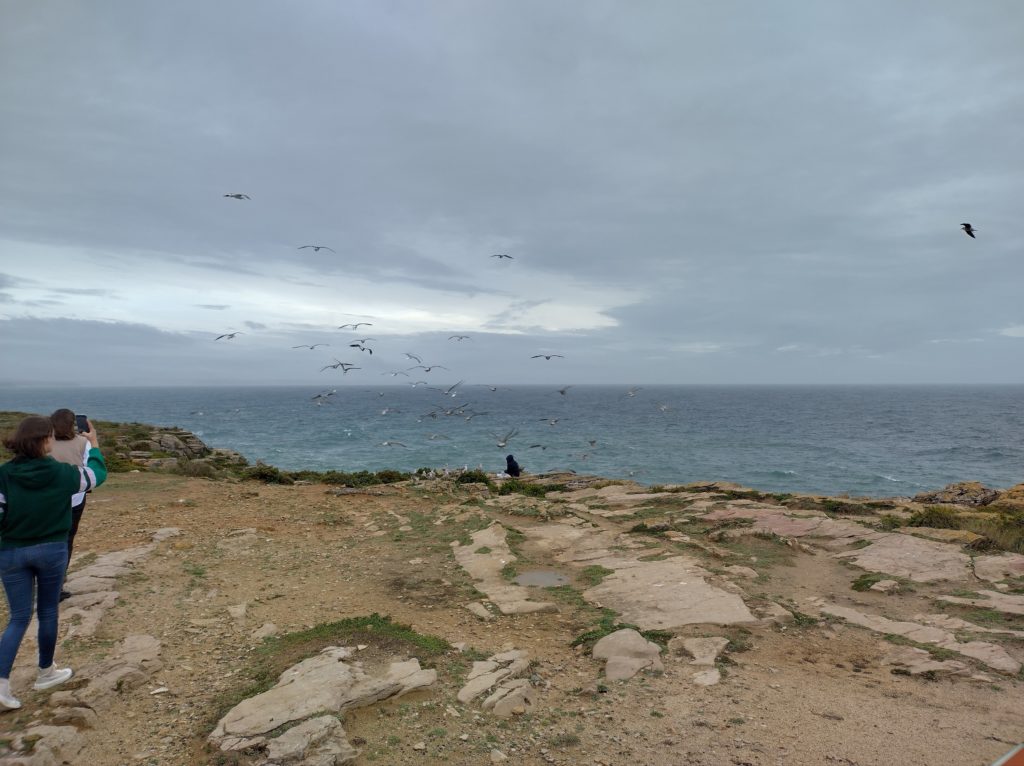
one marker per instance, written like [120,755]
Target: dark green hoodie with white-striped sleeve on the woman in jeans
[35,498]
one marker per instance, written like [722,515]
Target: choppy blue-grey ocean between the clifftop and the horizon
[862,441]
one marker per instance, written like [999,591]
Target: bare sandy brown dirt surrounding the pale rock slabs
[801,694]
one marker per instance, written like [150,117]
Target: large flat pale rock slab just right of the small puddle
[668,594]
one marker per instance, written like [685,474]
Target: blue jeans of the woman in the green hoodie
[40,568]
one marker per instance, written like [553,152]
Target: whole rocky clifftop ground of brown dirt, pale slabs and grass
[194,595]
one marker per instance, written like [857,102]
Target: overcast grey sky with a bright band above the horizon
[691,192]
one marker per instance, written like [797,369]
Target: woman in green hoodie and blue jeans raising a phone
[35,519]
